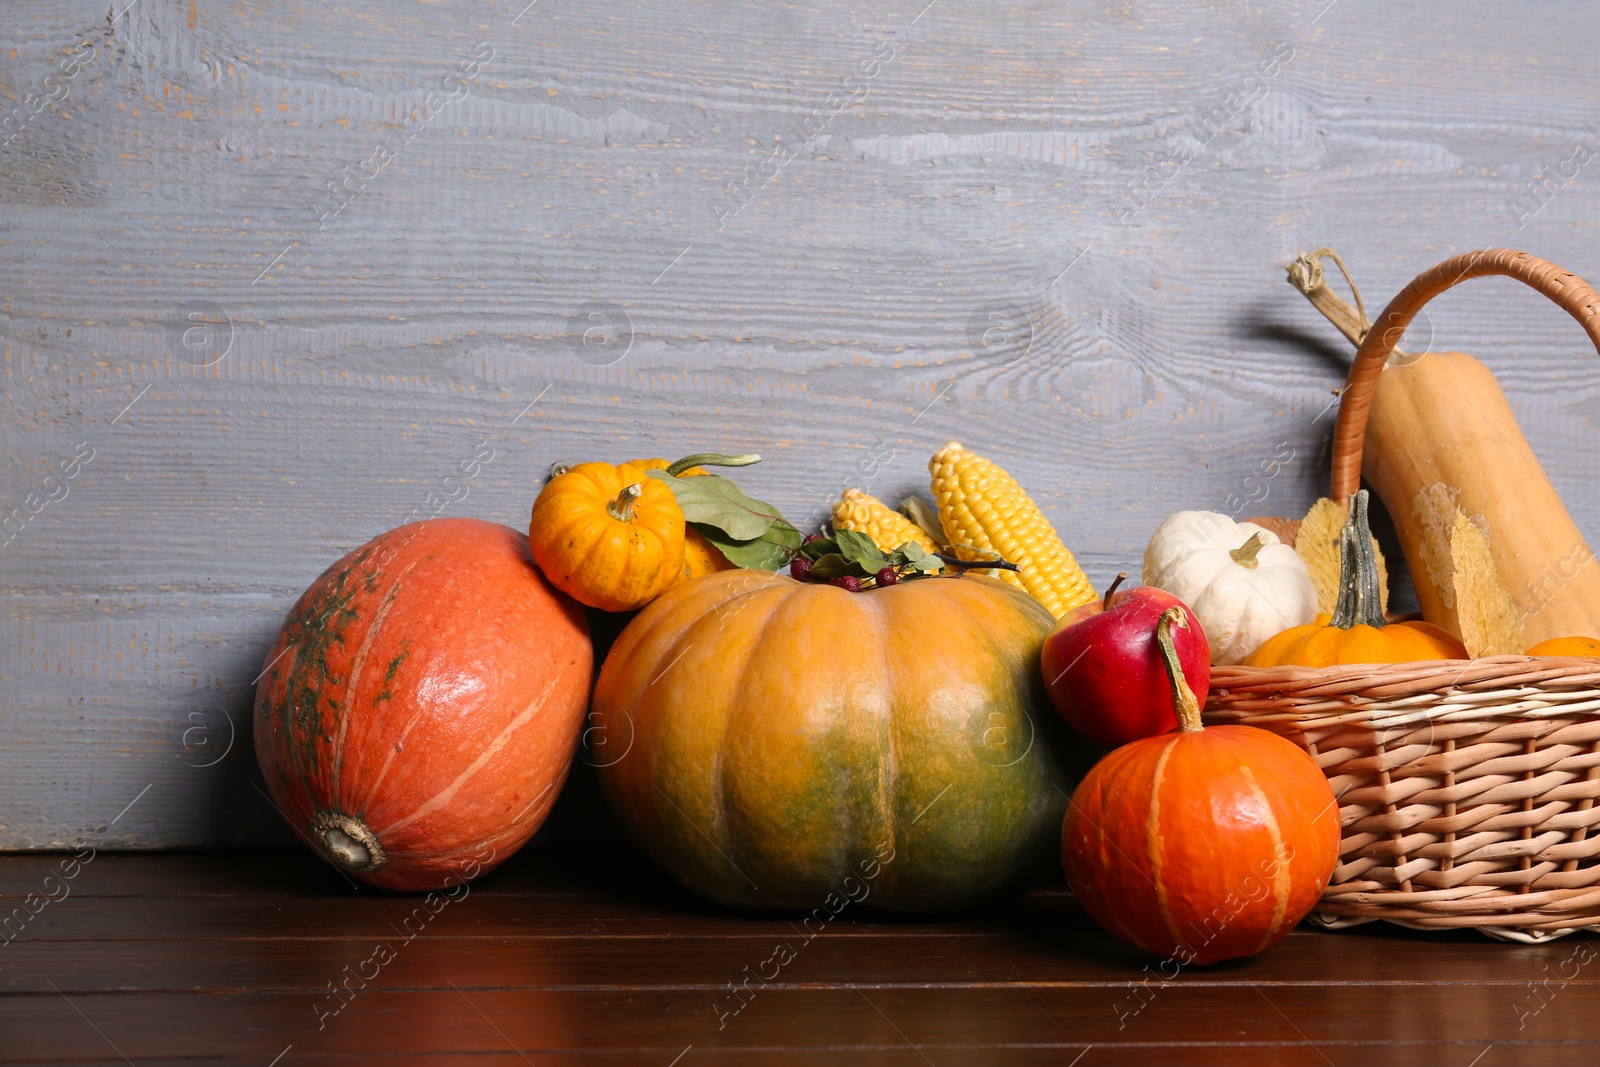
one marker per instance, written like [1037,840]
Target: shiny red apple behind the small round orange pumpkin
[1105,671]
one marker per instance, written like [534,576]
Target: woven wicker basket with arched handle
[1466,788]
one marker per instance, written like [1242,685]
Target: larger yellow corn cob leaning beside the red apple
[986,513]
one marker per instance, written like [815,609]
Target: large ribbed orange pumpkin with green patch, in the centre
[791,745]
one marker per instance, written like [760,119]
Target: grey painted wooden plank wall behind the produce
[684,226]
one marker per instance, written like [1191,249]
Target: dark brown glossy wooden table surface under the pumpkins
[590,954]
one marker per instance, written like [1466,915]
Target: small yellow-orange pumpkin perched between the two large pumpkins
[609,535]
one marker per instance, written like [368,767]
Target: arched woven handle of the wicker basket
[1569,290]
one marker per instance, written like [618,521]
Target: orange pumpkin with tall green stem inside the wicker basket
[1358,631]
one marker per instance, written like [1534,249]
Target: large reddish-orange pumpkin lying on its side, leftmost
[422,705]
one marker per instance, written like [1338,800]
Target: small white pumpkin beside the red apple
[1241,581]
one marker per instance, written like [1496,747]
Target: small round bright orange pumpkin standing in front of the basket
[1202,844]
